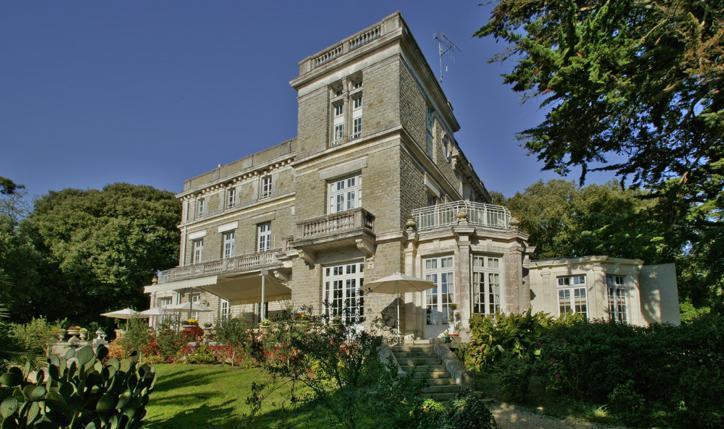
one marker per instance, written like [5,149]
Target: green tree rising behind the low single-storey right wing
[564,220]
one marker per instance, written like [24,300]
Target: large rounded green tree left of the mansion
[99,248]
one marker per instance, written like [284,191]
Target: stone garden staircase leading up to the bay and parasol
[420,360]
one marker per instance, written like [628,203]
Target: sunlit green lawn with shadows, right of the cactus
[214,396]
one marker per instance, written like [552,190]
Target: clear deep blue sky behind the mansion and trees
[152,92]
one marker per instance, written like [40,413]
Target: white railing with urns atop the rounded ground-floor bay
[448,214]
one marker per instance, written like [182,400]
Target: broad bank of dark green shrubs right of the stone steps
[671,374]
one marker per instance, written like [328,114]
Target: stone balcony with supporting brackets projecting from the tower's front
[335,230]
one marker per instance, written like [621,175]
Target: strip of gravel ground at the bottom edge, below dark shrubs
[511,416]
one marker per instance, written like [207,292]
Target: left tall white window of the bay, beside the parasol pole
[439,300]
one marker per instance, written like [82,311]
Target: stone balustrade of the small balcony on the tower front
[335,223]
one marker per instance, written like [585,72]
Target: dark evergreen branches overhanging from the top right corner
[636,81]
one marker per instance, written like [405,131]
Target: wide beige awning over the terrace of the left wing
[246,289]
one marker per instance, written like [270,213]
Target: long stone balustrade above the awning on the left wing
[249,262]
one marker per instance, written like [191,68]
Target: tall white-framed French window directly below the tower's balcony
[342,292]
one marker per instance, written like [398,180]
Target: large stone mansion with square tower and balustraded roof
[375,183]
